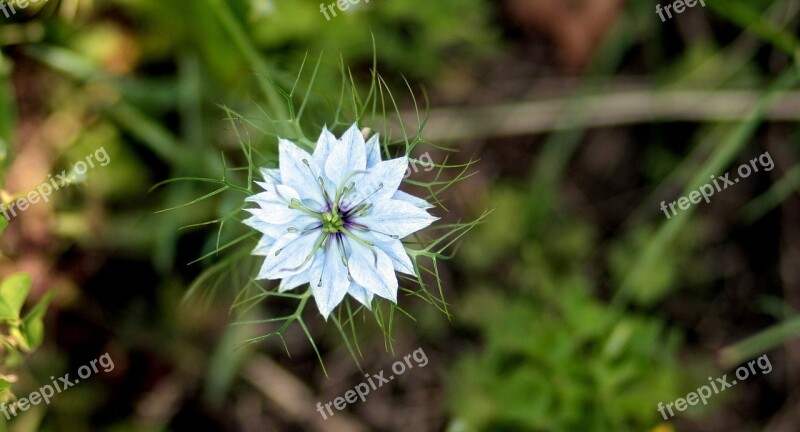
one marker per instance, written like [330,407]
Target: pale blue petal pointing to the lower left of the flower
[287,257]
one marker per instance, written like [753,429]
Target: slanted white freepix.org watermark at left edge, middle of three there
[43,192]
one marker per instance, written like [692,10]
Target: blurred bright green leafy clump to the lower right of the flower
[555,357]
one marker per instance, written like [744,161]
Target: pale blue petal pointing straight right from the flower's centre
[398,218]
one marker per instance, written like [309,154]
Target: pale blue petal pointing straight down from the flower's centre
[329,282]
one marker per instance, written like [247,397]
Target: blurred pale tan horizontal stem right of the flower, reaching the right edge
[631,106]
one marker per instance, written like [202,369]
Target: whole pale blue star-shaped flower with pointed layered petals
[334,219]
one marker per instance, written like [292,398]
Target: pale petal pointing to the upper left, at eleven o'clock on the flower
[300,171]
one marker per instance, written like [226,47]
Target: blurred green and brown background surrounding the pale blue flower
[575,306]
